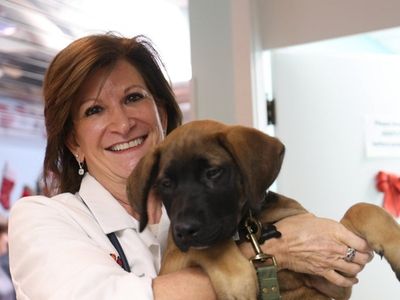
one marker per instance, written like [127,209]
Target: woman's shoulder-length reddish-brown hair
[67,73]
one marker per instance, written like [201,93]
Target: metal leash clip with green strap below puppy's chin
[265,265]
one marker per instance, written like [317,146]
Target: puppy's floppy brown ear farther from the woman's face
[259,158]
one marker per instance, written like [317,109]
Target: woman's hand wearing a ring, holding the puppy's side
[318,246]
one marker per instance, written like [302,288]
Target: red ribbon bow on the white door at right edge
[389,184]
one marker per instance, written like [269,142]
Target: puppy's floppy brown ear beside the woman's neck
[140,182]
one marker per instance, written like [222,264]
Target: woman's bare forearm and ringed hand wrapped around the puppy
[308,244]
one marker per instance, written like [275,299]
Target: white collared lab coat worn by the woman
[59,248]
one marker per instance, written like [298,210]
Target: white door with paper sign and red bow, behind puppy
[321,104]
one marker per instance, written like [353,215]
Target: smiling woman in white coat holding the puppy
[107,103]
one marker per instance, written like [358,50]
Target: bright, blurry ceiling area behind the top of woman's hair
[32,31]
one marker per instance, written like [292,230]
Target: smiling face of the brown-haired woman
[116,124]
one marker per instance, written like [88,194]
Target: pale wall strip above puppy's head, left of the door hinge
[225,49]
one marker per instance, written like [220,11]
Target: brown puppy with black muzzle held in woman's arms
[209,175]
